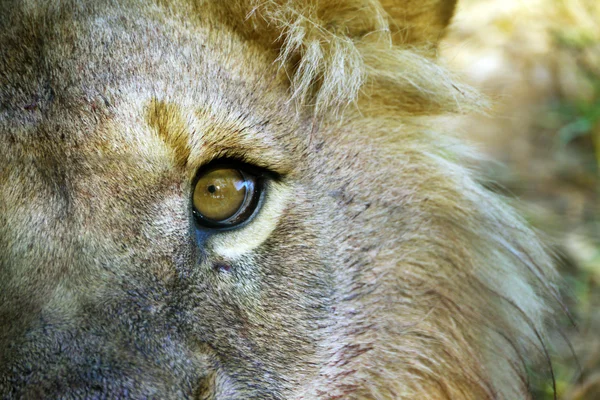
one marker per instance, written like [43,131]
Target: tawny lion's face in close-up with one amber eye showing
[245,199]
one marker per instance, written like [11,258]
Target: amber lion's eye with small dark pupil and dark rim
[225,196]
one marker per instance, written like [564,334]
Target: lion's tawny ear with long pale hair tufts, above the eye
[341,52]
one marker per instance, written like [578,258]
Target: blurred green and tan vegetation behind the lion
[539,62]
